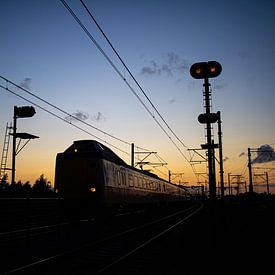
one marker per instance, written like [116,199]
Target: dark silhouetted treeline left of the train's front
[41,188]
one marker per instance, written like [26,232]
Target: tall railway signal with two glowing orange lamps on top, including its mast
[206,70]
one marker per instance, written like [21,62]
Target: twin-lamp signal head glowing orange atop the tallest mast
[208,69]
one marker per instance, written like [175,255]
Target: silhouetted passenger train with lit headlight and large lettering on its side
[89,170]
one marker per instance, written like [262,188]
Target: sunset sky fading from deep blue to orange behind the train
[45,51]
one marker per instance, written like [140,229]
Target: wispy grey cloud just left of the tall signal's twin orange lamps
[172,65]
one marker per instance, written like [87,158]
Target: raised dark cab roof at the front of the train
[93,147]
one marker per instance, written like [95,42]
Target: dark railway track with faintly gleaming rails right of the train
[115,249]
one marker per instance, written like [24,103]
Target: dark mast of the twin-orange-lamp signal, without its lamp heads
[211,176]
